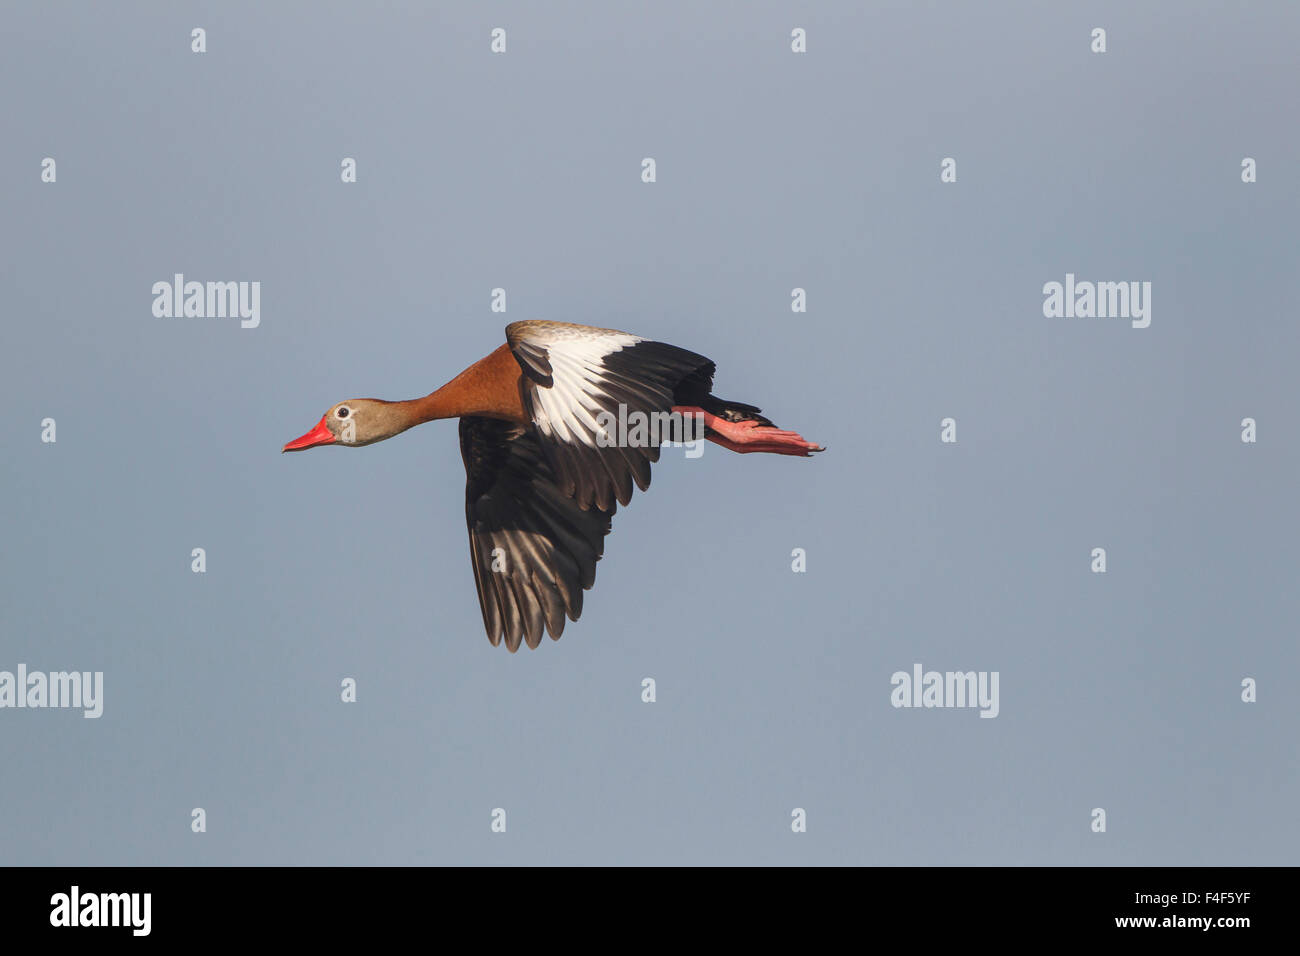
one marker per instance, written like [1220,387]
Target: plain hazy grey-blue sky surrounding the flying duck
[522,171]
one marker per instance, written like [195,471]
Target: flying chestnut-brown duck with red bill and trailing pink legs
[556,427]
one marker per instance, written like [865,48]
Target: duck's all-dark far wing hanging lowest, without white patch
[534,550]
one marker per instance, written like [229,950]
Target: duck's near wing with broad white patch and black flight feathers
[575,373]
